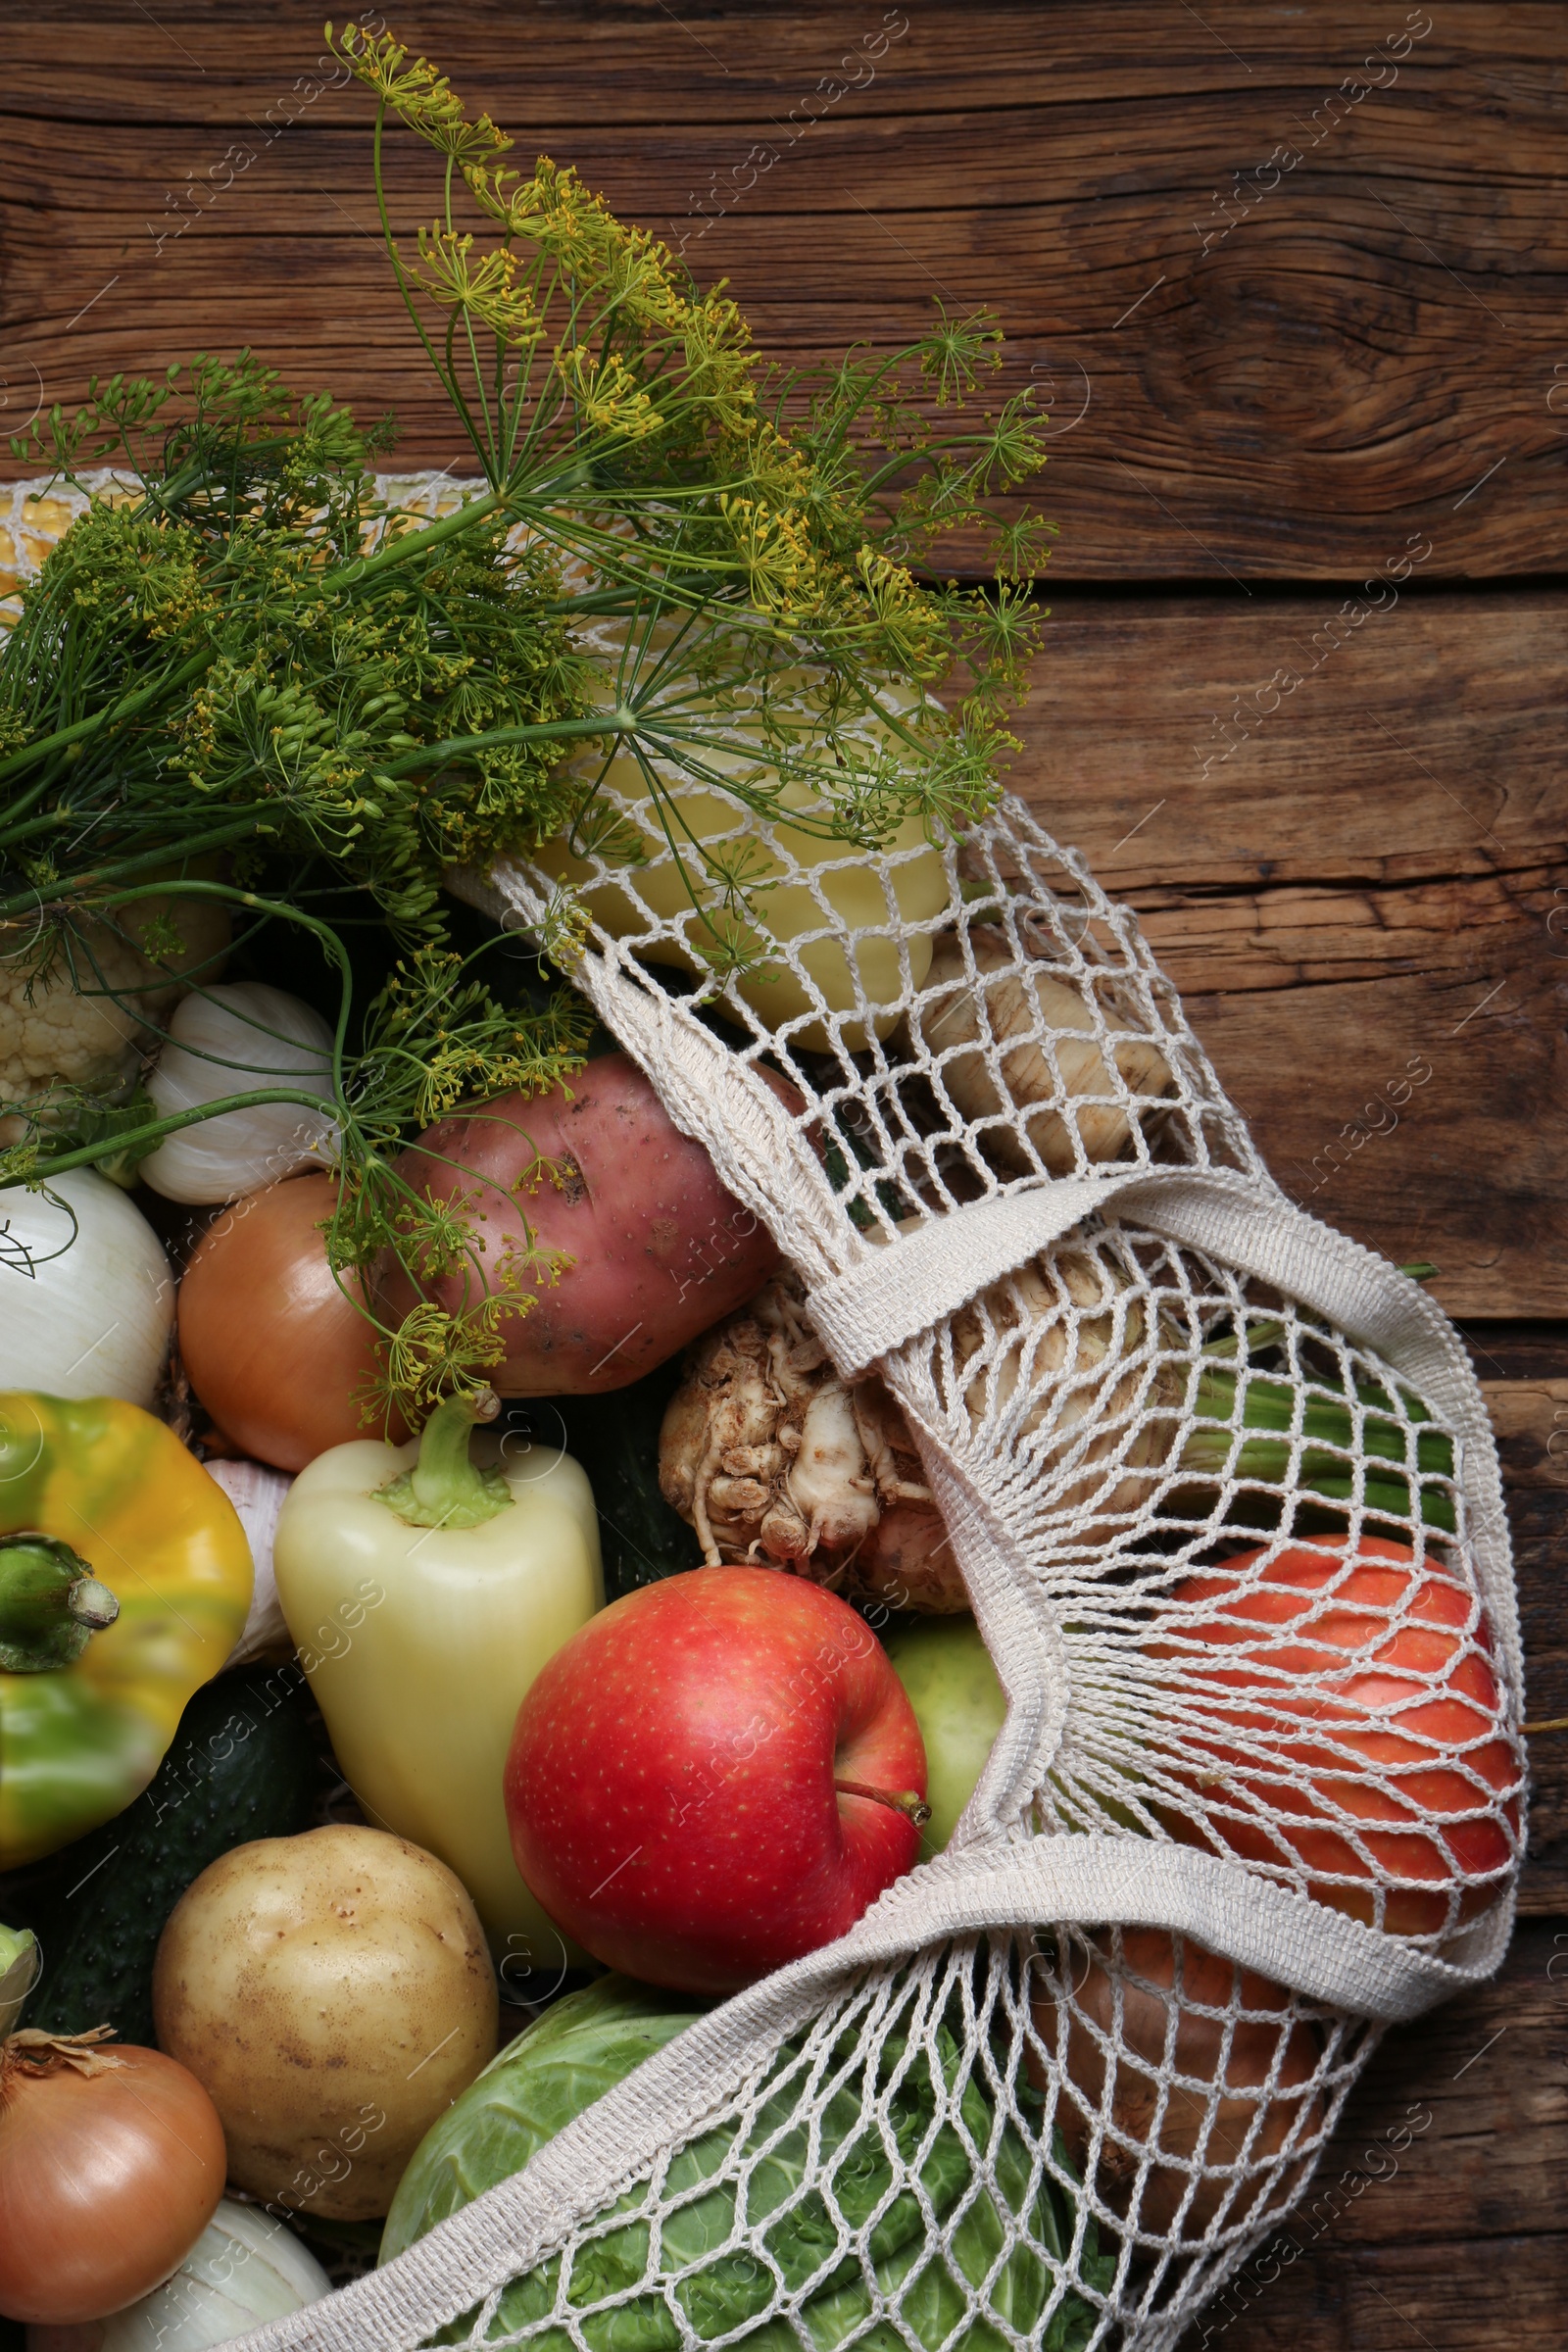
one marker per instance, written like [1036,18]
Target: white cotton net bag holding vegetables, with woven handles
[1226,1504]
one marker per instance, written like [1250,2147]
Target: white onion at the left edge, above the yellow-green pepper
[81,1316]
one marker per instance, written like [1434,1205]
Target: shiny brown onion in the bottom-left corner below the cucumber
[107,2181]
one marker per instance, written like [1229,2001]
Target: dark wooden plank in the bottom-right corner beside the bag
[1426,2221]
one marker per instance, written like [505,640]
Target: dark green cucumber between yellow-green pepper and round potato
[246,1763]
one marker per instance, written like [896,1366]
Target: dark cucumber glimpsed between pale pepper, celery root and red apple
[617,1443]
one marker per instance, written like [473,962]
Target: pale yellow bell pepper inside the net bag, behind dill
[786,911]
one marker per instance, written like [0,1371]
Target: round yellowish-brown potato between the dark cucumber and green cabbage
[333,1996]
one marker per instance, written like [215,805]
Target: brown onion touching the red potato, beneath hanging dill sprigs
[272,1344]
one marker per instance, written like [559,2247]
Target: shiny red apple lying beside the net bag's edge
[713,1777]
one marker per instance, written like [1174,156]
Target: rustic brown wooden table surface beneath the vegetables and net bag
[1292,281]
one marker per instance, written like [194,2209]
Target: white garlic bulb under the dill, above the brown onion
[232,1041]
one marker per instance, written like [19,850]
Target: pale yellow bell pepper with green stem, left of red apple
[424,1598]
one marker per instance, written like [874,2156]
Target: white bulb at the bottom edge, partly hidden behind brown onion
[243,2271]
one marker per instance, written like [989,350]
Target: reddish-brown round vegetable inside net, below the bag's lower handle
[1219,2130]
